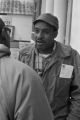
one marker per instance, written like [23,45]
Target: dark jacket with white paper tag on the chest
[61,80]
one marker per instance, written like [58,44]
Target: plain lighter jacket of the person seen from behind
[22,96]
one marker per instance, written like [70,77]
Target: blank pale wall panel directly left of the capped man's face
[23,27]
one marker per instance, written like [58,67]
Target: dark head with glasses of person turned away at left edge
[4,36]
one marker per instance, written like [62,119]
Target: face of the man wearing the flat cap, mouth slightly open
[44,36]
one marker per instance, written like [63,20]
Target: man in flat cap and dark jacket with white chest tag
[58,65]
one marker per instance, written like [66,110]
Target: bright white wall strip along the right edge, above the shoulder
[75,27]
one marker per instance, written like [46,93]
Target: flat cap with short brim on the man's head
[48,18]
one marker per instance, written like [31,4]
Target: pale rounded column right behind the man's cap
[60,10]
